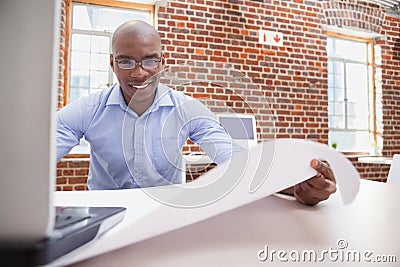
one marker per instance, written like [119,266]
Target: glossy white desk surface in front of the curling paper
[368,227]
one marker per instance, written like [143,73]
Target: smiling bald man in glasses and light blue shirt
[137,127]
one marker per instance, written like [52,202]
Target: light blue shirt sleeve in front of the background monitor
[207,132]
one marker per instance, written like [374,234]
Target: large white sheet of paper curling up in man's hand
[268,168]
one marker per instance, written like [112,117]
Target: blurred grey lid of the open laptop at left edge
[29,78]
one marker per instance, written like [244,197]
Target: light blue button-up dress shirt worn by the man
[131,151]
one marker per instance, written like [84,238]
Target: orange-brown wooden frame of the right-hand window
[372,113]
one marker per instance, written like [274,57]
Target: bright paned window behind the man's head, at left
[92,24]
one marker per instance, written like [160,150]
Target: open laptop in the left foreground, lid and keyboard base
[29,234]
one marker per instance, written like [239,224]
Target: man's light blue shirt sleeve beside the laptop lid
[72,121]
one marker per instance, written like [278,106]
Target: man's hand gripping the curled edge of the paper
[317,188]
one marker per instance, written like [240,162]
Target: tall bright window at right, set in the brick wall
[351,105]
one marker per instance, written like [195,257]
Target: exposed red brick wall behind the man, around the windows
[293,77]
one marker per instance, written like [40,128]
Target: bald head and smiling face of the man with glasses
[136,58]
